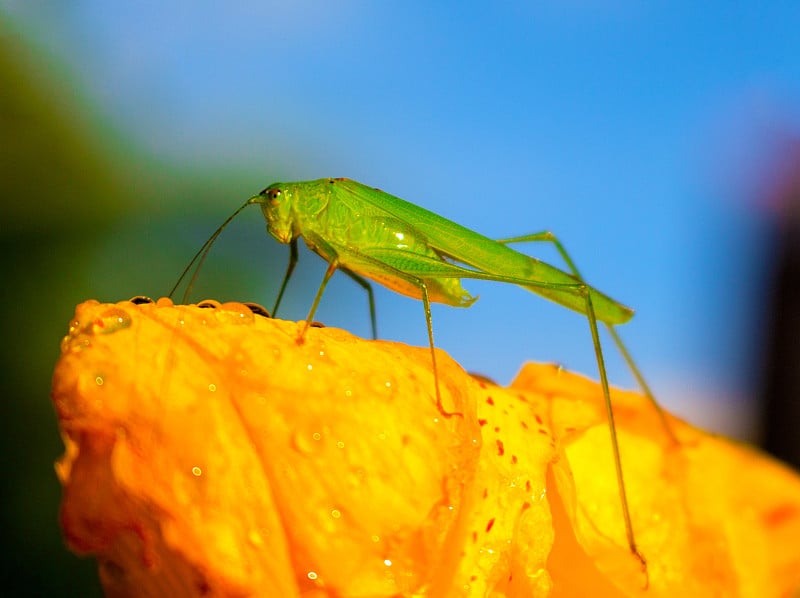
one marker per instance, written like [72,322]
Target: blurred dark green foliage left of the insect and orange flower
[85,214]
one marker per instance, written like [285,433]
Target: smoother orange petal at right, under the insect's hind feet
[712,517]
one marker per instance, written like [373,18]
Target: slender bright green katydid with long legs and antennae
[371,235]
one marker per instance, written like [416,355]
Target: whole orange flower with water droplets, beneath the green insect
[208,453]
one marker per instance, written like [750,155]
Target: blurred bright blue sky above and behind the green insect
[635,131]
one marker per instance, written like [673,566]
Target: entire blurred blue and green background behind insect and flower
[657,140]
